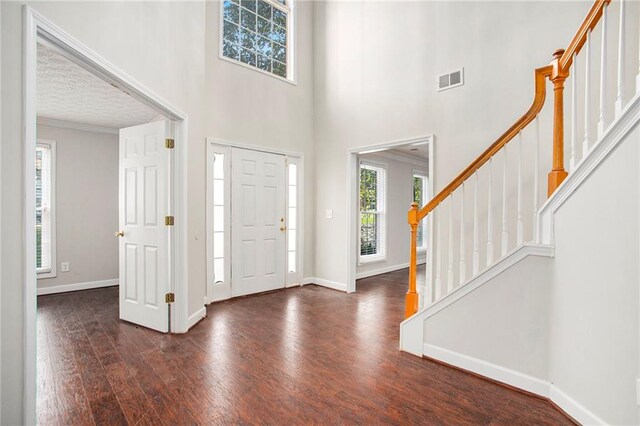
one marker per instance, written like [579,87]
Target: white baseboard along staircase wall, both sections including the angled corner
[517,379]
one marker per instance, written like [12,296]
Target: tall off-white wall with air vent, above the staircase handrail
[375,82]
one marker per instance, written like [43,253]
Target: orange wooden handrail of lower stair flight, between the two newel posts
[541,74]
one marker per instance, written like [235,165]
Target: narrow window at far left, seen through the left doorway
[45,209]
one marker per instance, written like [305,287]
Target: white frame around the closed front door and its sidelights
[227,145]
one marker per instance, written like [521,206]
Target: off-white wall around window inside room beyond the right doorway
[399,197]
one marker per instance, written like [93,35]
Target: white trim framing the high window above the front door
[291,53]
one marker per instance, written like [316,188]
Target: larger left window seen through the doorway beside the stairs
[372,212]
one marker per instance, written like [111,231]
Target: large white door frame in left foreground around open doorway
[37,27]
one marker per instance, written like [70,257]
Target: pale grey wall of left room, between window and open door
[86,205]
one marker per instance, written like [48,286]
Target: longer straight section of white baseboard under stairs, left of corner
[488,369]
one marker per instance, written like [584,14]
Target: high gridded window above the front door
[257,33]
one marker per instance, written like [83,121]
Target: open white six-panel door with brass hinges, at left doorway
[144,203]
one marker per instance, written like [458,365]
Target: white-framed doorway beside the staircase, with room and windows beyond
[383,182]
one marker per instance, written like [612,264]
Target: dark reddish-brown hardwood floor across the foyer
[300,356]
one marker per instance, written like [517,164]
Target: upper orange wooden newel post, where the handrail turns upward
[558,76]
